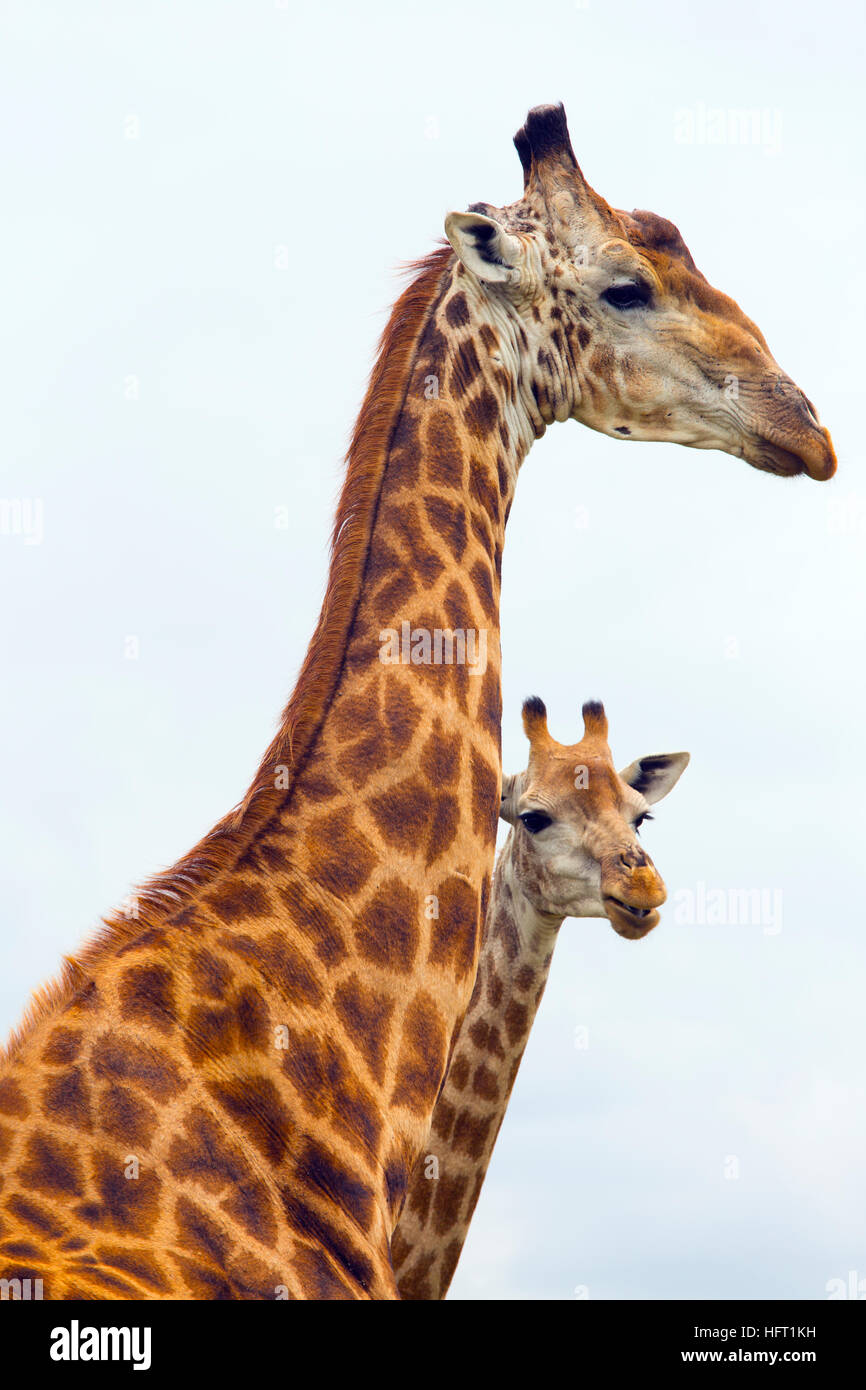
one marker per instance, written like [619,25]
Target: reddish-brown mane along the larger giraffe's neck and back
[168,894]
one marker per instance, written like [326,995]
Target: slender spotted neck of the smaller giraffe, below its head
[514,968]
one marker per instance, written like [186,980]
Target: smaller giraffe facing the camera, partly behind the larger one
[572,853]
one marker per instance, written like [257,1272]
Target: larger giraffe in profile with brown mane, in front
[265,1040]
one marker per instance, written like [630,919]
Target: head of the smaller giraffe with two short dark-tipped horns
[575,842]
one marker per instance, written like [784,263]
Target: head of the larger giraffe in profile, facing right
[614,325]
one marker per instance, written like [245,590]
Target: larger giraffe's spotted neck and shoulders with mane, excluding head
[269,1035]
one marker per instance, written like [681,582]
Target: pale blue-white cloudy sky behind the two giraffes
[204,209]
